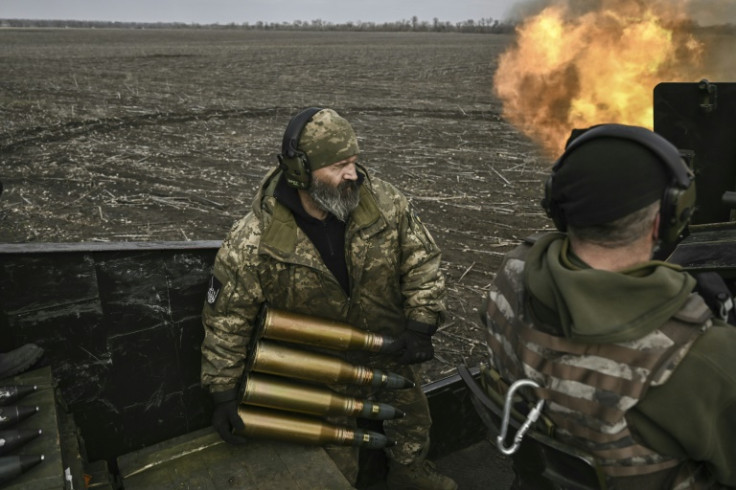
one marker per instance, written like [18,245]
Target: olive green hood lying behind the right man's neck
[596,306]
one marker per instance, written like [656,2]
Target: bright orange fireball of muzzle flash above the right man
[569,70]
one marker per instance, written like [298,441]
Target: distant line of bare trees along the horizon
[483,25]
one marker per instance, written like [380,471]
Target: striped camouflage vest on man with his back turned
[588,388]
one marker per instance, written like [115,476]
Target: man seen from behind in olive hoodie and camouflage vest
[632,365]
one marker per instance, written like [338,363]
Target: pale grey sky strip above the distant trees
[239,11]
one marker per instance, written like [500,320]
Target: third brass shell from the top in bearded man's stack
[276,392]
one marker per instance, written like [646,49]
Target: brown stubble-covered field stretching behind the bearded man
[161,135]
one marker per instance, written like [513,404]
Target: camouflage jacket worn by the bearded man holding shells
[393,264]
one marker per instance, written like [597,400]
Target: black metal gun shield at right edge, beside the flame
[698,118]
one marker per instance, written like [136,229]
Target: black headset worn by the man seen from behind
[678,199]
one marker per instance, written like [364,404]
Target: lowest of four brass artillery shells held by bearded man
[262,423]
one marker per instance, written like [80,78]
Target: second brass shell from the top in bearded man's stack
[273,358]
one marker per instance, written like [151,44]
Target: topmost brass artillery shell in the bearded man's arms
[319,332]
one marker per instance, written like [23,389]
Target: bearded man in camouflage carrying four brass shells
[325,239]
